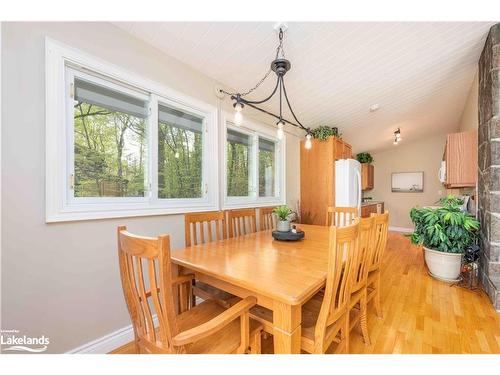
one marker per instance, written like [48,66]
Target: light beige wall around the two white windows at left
[61,280]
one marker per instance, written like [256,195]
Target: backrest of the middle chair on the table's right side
[366,245]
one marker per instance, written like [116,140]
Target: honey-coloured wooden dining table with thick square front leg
[282,275]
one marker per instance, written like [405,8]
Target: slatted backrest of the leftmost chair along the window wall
[195,224]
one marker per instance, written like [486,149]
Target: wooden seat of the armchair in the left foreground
[227,340]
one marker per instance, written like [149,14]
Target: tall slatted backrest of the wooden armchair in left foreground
[145,272]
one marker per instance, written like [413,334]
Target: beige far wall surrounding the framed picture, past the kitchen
[423,155]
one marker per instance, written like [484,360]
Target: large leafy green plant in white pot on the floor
[445,232]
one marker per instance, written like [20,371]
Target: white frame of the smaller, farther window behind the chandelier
[255,130]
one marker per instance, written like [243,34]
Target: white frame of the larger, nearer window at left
[58,205]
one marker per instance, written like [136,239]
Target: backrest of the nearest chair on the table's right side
[343,252]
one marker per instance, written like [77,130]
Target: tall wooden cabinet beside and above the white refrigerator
[317,177]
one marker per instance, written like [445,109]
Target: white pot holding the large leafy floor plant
[443,266]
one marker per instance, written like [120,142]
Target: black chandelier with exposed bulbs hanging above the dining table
[280,65]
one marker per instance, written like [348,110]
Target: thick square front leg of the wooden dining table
[286,328]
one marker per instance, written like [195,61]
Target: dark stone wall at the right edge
[489,164]
